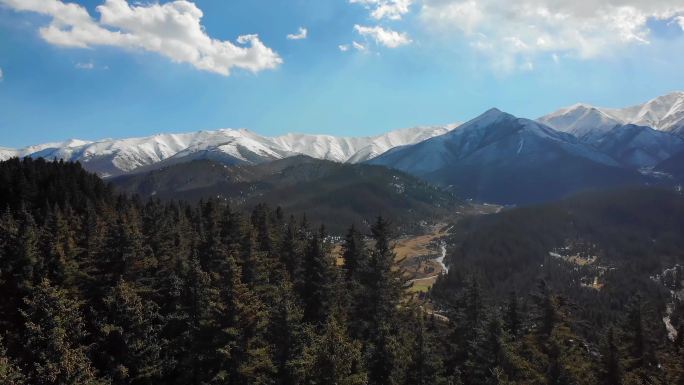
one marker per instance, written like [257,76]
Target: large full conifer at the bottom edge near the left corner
[54,332]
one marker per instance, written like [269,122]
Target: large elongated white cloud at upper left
[171,29]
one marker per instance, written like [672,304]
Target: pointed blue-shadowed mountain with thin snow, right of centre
[498,157]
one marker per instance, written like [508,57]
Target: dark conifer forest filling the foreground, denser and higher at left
[101,288]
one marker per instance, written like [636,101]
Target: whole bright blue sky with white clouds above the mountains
[435,62]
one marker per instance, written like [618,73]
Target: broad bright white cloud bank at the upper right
[524,28]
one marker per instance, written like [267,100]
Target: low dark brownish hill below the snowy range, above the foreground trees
[334,193]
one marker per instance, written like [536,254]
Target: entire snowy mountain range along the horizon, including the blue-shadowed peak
[496,157]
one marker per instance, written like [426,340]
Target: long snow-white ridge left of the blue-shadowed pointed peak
[111,157]
